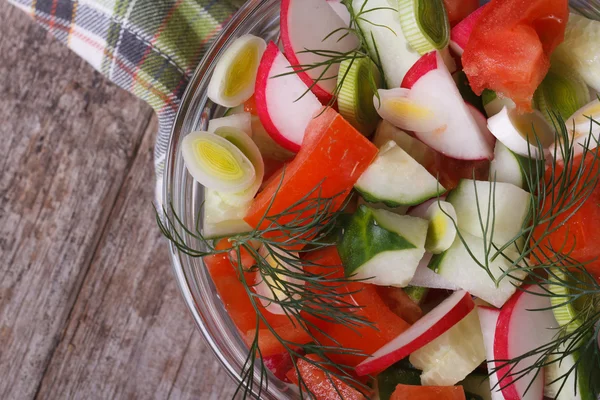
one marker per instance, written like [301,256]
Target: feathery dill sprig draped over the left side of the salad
[304,296]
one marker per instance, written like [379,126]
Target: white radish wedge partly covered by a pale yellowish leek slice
[438,90]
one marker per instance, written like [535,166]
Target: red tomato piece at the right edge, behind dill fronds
[578,234]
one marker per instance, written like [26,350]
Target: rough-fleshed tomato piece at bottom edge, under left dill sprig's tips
[318,383]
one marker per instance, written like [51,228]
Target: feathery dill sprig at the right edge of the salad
[558,192]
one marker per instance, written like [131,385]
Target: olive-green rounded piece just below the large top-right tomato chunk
[562,91]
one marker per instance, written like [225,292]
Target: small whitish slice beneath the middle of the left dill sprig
[265,285]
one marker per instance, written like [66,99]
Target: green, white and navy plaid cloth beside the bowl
[148,47]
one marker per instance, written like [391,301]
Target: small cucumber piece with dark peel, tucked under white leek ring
[512,168]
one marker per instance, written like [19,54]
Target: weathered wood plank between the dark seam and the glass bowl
[130,335]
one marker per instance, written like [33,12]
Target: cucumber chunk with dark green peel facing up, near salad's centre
[383,247]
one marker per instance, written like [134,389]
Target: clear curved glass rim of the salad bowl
[176,132]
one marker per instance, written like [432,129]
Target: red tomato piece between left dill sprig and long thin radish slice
[366,339]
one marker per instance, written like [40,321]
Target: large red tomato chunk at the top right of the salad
[510,46]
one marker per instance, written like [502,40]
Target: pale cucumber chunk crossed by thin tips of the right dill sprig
[507,205]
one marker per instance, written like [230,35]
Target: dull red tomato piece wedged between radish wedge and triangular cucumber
[418,150]
